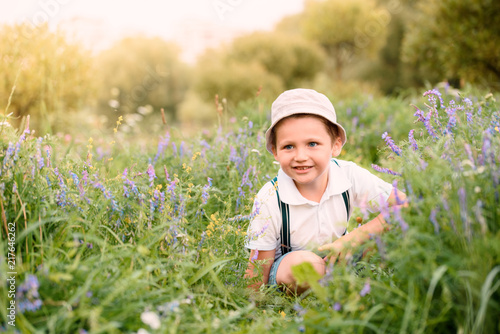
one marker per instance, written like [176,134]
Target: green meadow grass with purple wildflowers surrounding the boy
[122,236]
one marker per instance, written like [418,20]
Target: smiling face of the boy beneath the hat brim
[304,149]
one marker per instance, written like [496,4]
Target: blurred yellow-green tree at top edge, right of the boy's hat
[346,28]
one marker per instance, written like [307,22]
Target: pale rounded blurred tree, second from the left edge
[142,71]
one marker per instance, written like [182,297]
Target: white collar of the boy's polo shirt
[337,184]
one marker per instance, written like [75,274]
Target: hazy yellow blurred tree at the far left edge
[51,76]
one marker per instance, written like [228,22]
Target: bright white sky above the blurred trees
[193,24]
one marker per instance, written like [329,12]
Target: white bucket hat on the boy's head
[302,101]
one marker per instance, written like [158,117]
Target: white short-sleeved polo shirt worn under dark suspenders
[314,224]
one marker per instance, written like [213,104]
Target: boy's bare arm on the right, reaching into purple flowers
[361,234]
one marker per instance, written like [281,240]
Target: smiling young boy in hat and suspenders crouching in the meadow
[312,192]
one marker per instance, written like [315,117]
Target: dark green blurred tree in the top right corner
[456,39]
